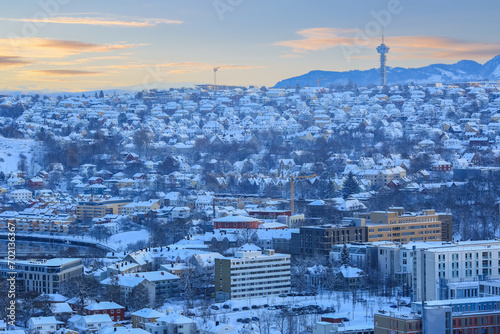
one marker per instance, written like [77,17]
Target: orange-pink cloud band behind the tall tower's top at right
[402,47]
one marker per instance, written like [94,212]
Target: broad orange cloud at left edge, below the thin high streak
[55,48]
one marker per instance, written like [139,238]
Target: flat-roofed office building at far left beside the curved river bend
[43,276]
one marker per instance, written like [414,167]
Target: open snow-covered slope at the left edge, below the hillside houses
[10,149]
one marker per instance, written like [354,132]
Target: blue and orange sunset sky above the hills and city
[82,45]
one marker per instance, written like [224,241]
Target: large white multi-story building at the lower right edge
[441,270]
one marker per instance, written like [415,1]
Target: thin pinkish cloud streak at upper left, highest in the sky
[98,21]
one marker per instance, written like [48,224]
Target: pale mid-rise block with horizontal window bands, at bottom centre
[252,273]
